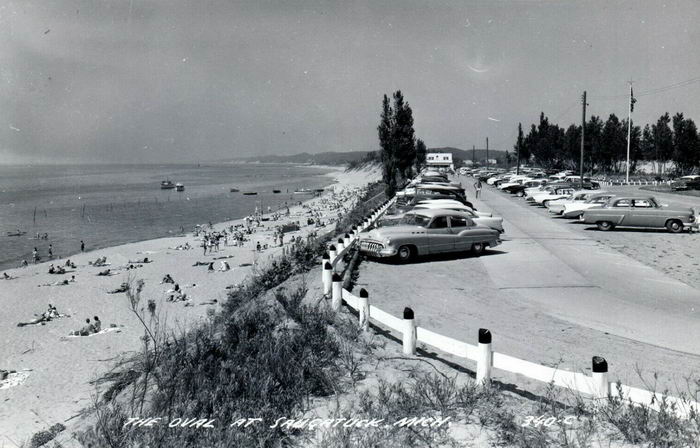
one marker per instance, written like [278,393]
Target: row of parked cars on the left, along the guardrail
[430,216]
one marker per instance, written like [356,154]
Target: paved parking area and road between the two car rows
[558,292]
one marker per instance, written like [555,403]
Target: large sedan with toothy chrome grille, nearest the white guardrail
[426,232]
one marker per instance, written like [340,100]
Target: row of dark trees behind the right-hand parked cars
[673,140]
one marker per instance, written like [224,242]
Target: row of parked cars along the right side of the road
[606,210]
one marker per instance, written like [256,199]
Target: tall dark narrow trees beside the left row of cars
[400,151]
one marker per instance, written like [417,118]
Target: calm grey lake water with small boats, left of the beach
[106,205]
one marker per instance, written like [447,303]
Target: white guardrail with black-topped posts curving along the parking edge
[596,385]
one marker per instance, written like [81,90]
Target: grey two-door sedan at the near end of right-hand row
[640,211]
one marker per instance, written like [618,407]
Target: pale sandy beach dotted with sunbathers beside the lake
[54,373]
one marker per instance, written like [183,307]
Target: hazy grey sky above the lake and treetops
[134,81]
